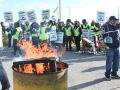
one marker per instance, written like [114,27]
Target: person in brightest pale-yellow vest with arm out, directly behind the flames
[44,34]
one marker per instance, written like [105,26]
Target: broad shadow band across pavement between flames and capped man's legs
[70,57]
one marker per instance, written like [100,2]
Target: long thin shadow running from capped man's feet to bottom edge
[84,85]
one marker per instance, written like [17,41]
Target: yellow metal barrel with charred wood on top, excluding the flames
[54,80]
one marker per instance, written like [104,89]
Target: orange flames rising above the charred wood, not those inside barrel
[42,51]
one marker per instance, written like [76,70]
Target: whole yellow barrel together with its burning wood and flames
[40,70]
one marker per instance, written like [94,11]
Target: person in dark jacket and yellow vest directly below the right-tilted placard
[35,34]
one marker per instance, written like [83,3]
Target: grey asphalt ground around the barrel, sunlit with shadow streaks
[85,72]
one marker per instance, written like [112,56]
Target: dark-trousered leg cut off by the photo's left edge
[3,77]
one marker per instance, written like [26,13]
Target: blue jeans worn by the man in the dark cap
[112,61]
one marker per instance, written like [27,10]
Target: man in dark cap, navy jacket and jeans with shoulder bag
[112,42]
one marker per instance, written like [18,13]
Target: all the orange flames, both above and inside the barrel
[33,52]
